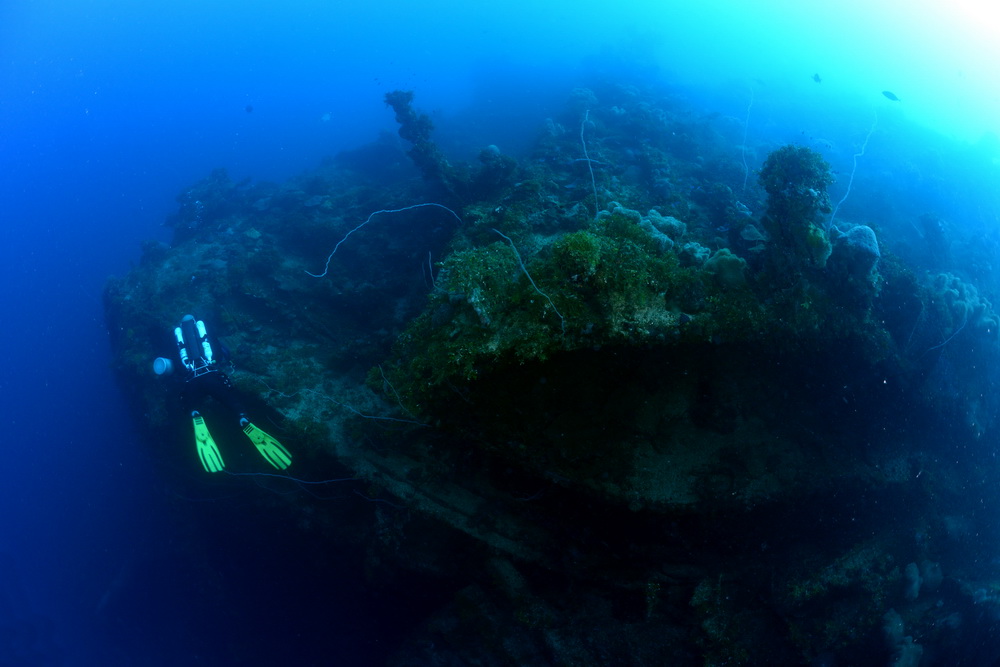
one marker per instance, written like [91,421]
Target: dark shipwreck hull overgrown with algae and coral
[620,399]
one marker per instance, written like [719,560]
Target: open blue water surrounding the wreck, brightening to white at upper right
[109,110]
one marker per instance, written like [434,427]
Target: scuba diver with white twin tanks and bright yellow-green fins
[203,379]
